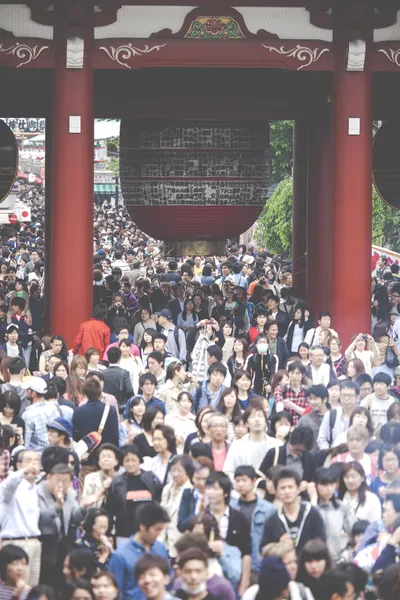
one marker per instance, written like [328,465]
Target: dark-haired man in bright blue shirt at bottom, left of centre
[150,521]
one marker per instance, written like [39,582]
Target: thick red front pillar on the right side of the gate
[352,180]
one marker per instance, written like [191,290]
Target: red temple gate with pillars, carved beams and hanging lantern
[191,80]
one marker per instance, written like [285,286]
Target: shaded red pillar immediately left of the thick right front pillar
[319,212]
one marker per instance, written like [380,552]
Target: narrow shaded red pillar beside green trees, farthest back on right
[299,212]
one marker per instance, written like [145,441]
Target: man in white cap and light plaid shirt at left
[38,415]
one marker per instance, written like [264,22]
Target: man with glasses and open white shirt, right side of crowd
[337,420]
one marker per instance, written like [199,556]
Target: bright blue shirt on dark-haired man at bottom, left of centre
[122,564]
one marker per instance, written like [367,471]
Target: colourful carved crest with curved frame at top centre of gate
[228,26]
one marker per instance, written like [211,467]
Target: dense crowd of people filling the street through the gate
[205,437]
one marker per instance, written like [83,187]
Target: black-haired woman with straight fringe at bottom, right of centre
[314,561]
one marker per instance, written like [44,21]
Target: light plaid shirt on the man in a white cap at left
[36,418]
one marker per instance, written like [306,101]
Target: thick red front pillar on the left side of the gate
[72,171]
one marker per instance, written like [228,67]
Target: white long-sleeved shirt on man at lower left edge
[21,517]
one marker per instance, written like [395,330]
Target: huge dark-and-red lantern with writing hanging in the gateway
[194,183]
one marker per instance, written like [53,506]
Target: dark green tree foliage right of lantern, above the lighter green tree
[281,141]
